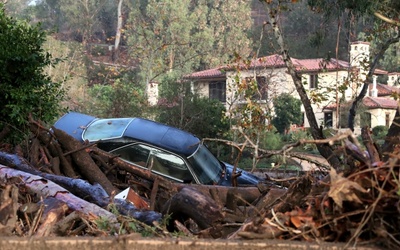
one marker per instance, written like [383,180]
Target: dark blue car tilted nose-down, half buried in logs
[166,151]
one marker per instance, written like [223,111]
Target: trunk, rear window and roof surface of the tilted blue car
[84,127]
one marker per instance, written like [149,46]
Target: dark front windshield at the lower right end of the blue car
[205,165]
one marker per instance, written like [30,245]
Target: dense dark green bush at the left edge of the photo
[26,89]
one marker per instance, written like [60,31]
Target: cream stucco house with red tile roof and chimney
[329,83]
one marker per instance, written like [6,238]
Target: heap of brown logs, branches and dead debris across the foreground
[56,186]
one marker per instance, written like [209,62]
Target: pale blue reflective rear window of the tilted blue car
[106,128]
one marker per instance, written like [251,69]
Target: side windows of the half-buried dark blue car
[159,161]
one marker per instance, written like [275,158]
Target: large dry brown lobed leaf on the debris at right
[343,189]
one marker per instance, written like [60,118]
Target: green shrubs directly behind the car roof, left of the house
[181,108]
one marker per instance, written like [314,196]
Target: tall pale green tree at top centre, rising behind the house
[184,36]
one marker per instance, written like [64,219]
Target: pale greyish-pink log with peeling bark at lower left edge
[46,188]
